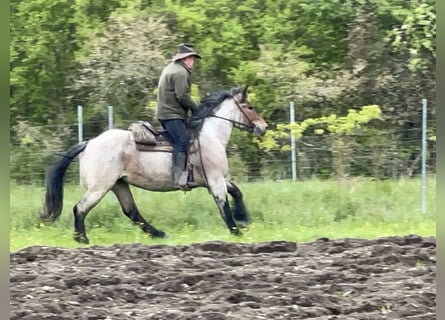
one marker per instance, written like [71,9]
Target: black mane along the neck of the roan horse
[206,107]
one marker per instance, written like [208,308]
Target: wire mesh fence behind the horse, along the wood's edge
[384,154]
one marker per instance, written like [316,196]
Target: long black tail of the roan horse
[54,183]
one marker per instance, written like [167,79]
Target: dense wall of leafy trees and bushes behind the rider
[325,56]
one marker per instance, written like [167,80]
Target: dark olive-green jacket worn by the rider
[174,100]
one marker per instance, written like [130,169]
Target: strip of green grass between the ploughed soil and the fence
[294,211]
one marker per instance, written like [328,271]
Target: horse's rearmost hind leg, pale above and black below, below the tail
[81,209]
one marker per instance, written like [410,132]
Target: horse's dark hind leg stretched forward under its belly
[123,194]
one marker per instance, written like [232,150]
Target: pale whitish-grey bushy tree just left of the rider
[122,68]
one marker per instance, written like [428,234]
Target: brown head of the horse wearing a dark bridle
[249,117]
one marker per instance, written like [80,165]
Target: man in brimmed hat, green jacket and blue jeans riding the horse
[173,105]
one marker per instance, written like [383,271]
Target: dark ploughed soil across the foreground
[386,278]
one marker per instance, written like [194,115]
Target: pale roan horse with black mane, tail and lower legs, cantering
[112,161]
